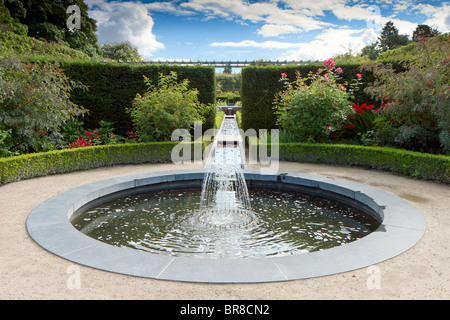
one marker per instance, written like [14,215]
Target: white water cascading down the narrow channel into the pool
[225,201]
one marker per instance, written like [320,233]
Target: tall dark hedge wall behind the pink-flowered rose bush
[260,84]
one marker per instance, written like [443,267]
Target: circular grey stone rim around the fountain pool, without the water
[401,228]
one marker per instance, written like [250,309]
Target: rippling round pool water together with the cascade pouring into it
[219,221]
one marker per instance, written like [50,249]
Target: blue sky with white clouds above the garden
[264,29]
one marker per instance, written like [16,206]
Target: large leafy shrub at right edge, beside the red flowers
[418,97]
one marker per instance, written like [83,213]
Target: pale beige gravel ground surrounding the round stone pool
[30,272]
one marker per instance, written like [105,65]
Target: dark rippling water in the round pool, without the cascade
[165,222]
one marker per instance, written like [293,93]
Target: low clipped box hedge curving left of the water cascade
[63,161]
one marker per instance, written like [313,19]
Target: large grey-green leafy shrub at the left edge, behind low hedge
[34,100]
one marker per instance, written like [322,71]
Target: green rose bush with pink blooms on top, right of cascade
[312,113]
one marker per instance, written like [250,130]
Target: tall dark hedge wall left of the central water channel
[113,86]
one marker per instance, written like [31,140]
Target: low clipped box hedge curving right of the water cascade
[414,164]
